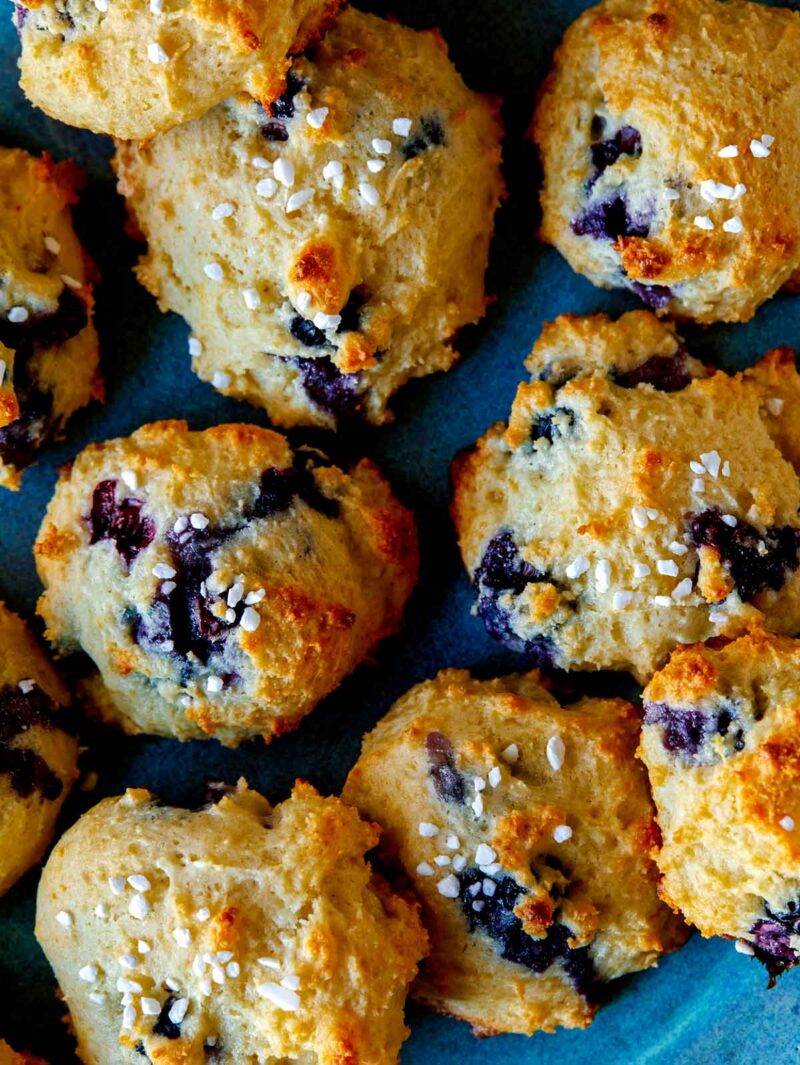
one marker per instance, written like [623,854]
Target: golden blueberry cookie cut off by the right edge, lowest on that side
[723,749]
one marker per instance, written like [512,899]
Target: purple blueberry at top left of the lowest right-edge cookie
[692,732]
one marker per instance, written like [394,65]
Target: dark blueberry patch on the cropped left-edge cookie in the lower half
[27,771]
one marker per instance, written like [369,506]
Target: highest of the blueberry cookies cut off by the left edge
[48,345]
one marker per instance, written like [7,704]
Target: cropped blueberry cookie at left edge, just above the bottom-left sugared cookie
[39,751]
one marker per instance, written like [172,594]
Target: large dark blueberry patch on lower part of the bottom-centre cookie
[497,920]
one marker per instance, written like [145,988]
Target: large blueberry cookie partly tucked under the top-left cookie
[325,250]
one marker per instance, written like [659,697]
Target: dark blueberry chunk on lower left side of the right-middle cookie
[502,571]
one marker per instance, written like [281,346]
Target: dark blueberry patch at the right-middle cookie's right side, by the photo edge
[756,562]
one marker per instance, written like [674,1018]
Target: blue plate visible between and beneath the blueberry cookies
[706,1005]
